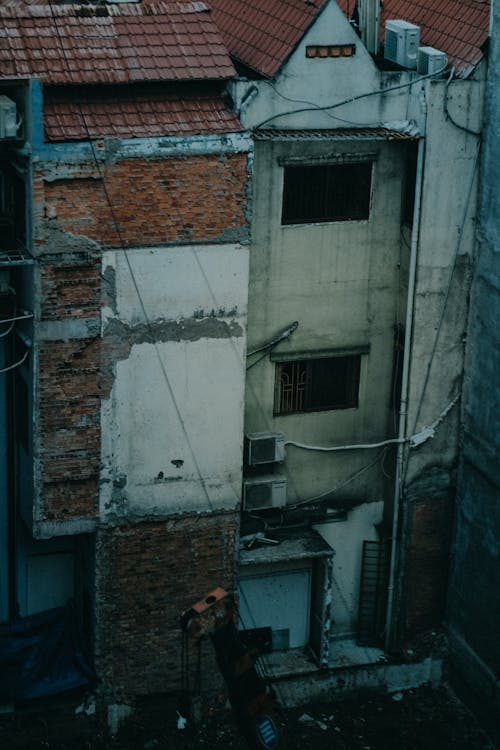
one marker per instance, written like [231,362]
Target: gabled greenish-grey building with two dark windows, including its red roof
[374,289]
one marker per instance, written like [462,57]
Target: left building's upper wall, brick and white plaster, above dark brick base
[152,202]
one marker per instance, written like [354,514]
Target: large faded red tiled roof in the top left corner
[112,43]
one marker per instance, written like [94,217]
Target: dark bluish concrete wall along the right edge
[474,601]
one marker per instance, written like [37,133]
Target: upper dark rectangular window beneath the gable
[326,192]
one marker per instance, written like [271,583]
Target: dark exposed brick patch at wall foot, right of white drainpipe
[427,564]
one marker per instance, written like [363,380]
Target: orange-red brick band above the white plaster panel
[169,200]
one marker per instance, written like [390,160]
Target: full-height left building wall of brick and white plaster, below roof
[139,342]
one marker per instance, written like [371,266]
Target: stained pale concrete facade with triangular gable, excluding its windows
[346,284]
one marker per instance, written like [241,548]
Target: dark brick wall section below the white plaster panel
[148,574]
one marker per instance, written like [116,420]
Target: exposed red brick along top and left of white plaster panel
[168,200]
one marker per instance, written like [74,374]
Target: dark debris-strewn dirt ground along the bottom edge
[422,719]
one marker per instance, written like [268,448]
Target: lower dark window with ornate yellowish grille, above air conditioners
[317,384]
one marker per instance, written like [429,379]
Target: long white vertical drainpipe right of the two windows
[403,409]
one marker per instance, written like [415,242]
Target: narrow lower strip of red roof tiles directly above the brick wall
[124,113]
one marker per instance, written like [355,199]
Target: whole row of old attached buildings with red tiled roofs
[166,162]
